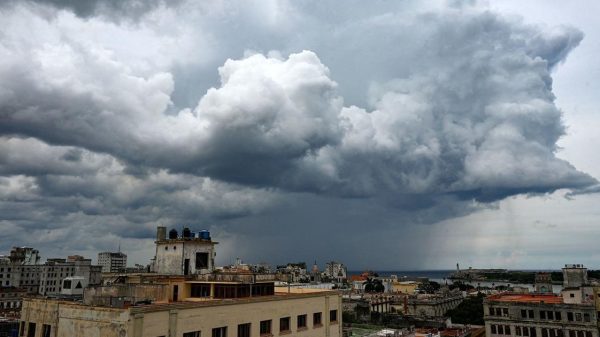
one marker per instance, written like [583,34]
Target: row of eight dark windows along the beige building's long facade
[266,326]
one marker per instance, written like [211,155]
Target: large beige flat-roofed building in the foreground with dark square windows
[300,312]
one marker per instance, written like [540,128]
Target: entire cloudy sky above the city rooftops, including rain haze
[407,135]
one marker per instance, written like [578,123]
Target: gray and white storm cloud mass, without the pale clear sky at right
[427,113]
